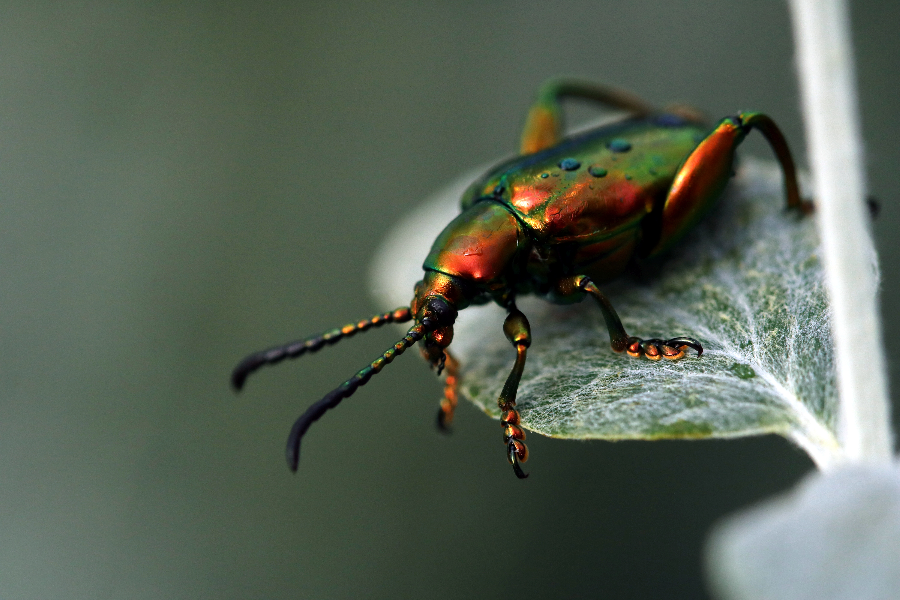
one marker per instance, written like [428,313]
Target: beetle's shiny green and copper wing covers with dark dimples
[595,185]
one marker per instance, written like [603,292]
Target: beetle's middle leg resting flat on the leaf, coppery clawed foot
[654,348]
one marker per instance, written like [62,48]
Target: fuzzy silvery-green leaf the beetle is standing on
[747,283]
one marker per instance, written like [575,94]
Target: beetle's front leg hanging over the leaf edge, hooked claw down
[518,332]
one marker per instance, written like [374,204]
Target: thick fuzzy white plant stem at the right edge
[827,83]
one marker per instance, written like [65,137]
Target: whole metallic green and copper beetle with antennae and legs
[561,218]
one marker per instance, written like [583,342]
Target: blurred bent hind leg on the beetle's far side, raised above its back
[543,127]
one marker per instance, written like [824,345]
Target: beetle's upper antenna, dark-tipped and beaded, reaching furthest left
[311,344]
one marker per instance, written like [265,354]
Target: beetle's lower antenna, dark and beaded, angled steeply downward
[346,389]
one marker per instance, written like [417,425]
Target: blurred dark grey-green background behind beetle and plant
[183,183]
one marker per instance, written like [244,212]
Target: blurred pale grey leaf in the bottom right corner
[834,537]
